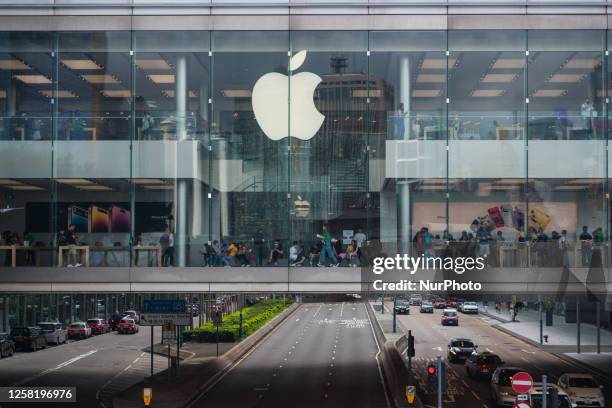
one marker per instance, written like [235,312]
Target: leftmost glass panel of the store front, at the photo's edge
[26,89]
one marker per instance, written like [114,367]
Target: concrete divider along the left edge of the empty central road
[189,384]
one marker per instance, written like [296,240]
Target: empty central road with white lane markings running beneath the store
[324,355]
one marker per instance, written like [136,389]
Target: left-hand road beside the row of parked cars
[99,367]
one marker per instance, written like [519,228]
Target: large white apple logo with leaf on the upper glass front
[270,103]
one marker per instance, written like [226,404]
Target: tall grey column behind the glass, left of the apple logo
[180,202]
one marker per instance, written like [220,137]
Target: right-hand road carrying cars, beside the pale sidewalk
[431,340]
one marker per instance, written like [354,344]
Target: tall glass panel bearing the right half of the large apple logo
[329,177]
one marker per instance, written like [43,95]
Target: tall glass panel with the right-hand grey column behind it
[408,143]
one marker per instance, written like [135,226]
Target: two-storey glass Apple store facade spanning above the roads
[165,140]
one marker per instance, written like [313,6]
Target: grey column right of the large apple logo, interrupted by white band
[404,226]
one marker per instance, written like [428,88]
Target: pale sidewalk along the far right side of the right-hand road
[562,337]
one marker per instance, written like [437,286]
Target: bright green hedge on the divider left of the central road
[253,317]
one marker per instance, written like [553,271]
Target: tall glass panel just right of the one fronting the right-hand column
[487,144]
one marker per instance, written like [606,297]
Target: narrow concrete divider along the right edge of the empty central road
[395,372]
